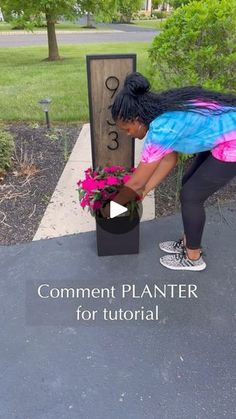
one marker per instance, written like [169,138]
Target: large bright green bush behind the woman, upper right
[197,46]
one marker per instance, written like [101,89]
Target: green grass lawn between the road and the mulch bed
[25,79]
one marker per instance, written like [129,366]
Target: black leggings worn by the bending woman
[205,176]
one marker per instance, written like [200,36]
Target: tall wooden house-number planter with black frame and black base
[111,146]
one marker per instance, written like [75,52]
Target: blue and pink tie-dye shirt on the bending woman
[192,132]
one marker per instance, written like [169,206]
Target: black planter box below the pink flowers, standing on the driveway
[117,236]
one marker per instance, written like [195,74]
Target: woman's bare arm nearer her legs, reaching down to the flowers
[167,163]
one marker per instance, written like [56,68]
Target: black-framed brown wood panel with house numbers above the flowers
[106,74]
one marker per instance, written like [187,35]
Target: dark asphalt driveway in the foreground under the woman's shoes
[181,366]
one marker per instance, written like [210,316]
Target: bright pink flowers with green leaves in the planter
[101,185]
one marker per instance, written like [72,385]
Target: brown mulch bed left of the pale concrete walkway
[25,191]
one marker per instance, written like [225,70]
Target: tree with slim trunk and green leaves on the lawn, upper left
[29,11]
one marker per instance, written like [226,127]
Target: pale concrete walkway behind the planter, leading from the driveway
[64,215]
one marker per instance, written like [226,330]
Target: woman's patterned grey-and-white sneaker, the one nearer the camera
[180,261]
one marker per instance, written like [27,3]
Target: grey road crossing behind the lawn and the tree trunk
[127,35]
